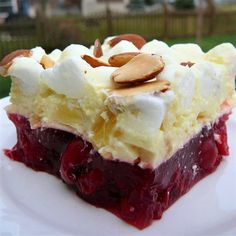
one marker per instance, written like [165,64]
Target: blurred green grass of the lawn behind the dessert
[206,44]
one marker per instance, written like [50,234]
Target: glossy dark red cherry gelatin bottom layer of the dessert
[136,195]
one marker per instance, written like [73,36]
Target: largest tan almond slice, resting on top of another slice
[141,68]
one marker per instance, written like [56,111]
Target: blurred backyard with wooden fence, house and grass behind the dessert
[58,23]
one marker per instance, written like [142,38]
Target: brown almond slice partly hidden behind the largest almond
[121,59]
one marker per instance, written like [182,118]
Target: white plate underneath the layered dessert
[35,203]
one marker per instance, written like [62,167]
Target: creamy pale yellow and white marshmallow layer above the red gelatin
[150,125]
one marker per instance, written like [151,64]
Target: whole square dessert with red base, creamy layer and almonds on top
[130,125]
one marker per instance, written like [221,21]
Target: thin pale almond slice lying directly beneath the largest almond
[152,86]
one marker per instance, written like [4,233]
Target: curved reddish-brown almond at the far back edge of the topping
[137,40]
